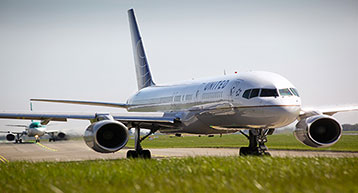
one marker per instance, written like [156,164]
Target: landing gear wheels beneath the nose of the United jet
[257,139]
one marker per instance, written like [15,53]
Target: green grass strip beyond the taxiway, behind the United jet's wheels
[279,141]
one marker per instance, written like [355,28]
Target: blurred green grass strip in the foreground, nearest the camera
[200,174]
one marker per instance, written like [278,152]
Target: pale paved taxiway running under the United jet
[77,150]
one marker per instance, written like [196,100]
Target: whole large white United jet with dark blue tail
[258,102]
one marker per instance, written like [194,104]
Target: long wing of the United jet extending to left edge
[146,120]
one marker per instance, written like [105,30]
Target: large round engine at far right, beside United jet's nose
[318,131]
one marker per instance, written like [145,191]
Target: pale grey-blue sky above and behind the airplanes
[81,49]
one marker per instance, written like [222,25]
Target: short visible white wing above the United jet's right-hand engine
[328,110]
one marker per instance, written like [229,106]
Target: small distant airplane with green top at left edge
[34,129]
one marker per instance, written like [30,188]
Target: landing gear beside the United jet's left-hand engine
[139,152]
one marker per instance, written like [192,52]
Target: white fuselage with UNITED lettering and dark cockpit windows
[218,105]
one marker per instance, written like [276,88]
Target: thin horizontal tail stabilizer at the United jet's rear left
[92,103]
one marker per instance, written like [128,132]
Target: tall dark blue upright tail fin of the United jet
[144,77]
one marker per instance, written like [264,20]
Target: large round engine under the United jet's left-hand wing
[106,136]
